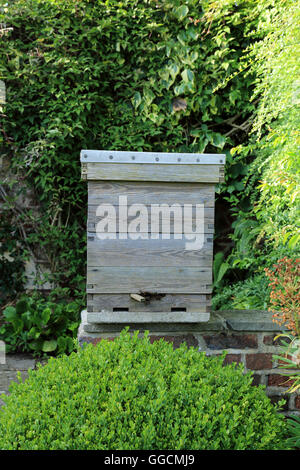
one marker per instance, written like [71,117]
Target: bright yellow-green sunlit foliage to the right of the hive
[266,227]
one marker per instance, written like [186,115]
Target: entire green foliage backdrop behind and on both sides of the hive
[165,76]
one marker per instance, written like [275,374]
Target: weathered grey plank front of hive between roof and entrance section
[157,263]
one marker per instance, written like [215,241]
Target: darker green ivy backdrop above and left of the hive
[114,75]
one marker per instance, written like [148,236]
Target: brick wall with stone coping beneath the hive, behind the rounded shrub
[247,336]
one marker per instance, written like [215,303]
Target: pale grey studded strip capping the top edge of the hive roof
[117,156]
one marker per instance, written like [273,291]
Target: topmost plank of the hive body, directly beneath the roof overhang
[102,192]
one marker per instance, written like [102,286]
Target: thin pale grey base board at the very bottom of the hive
[147,317]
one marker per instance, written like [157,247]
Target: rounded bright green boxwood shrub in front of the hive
[131,394]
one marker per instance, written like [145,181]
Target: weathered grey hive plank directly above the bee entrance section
[165,280]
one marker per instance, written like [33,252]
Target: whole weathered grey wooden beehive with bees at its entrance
[150,277]
